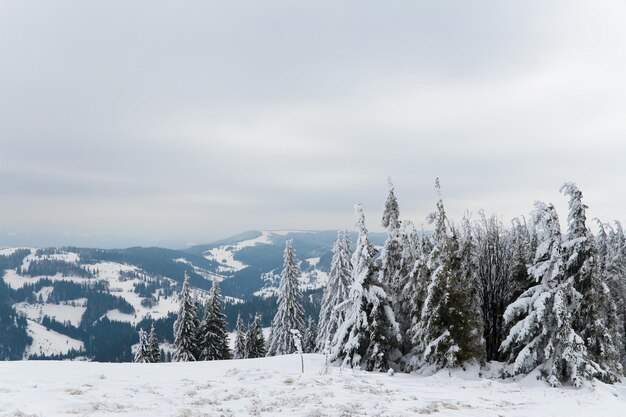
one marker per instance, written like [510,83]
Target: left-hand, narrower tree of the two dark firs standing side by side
[185,327]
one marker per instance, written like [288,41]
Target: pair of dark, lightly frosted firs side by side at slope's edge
[200,339]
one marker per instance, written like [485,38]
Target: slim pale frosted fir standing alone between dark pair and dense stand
[290,314]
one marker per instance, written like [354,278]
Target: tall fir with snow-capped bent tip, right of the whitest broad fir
[596,318]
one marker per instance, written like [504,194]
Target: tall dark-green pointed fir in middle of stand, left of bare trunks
[449,331]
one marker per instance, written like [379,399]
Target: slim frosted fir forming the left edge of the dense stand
[336,291]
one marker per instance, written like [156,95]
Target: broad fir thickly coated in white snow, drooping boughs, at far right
[542,337]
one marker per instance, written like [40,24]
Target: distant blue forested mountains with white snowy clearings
[66,298]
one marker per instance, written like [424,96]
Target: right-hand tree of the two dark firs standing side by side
[212,334]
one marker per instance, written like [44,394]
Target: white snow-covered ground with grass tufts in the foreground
[275,387]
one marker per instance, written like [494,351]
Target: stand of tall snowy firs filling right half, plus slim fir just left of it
[473,292]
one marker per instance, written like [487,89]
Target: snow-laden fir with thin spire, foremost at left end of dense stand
[364,338]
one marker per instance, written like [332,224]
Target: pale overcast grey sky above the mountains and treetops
[169,123]
